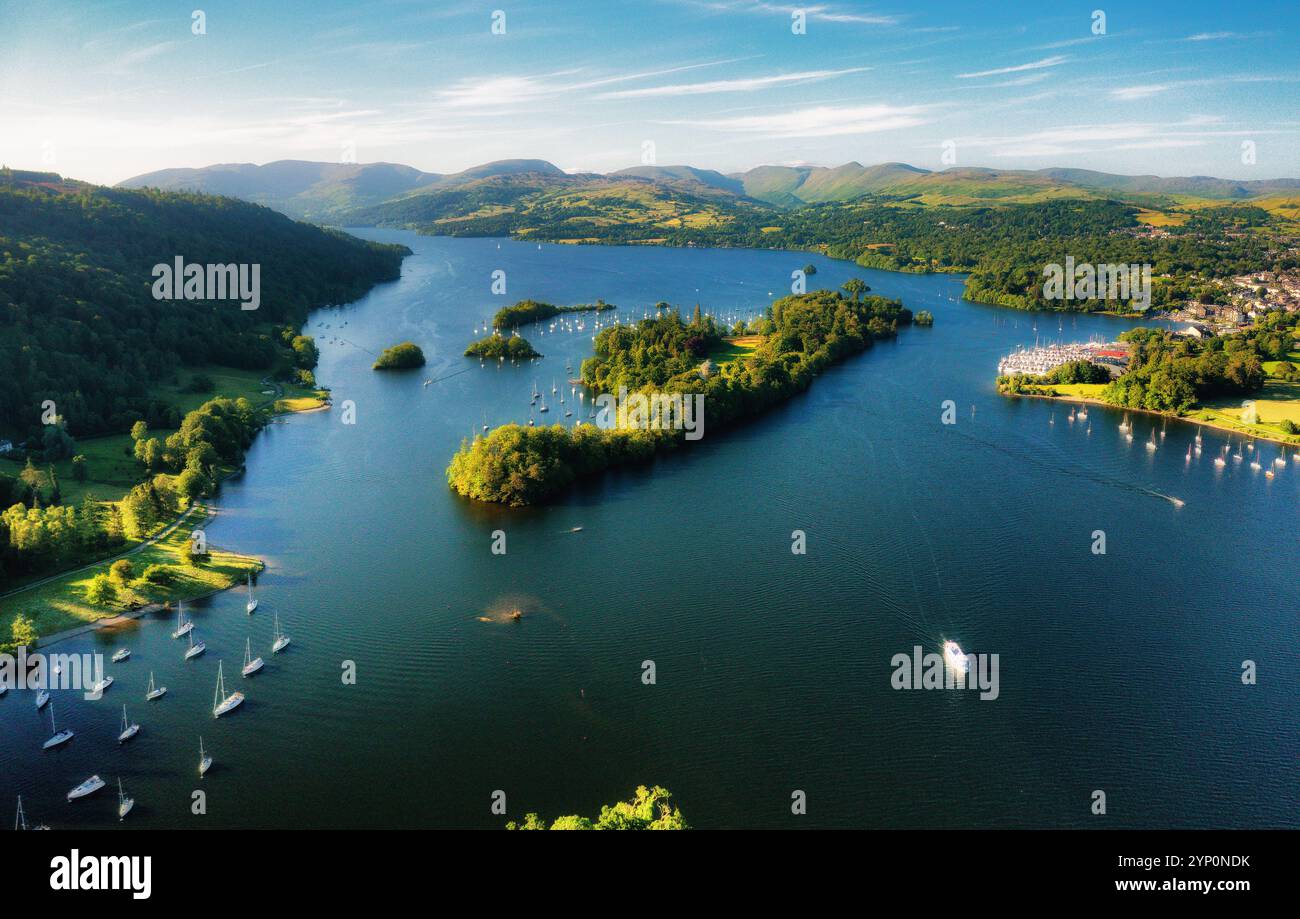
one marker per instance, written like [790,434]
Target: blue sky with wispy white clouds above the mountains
[116,89]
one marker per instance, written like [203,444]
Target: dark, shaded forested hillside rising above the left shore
[79,322]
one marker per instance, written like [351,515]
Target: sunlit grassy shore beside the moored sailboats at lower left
[60,604]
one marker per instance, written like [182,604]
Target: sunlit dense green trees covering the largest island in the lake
[800,337]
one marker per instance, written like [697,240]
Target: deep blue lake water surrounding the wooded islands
[1119,673]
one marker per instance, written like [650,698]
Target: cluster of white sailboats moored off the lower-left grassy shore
[223,704]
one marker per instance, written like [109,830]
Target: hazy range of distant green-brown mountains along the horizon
[478,198]
